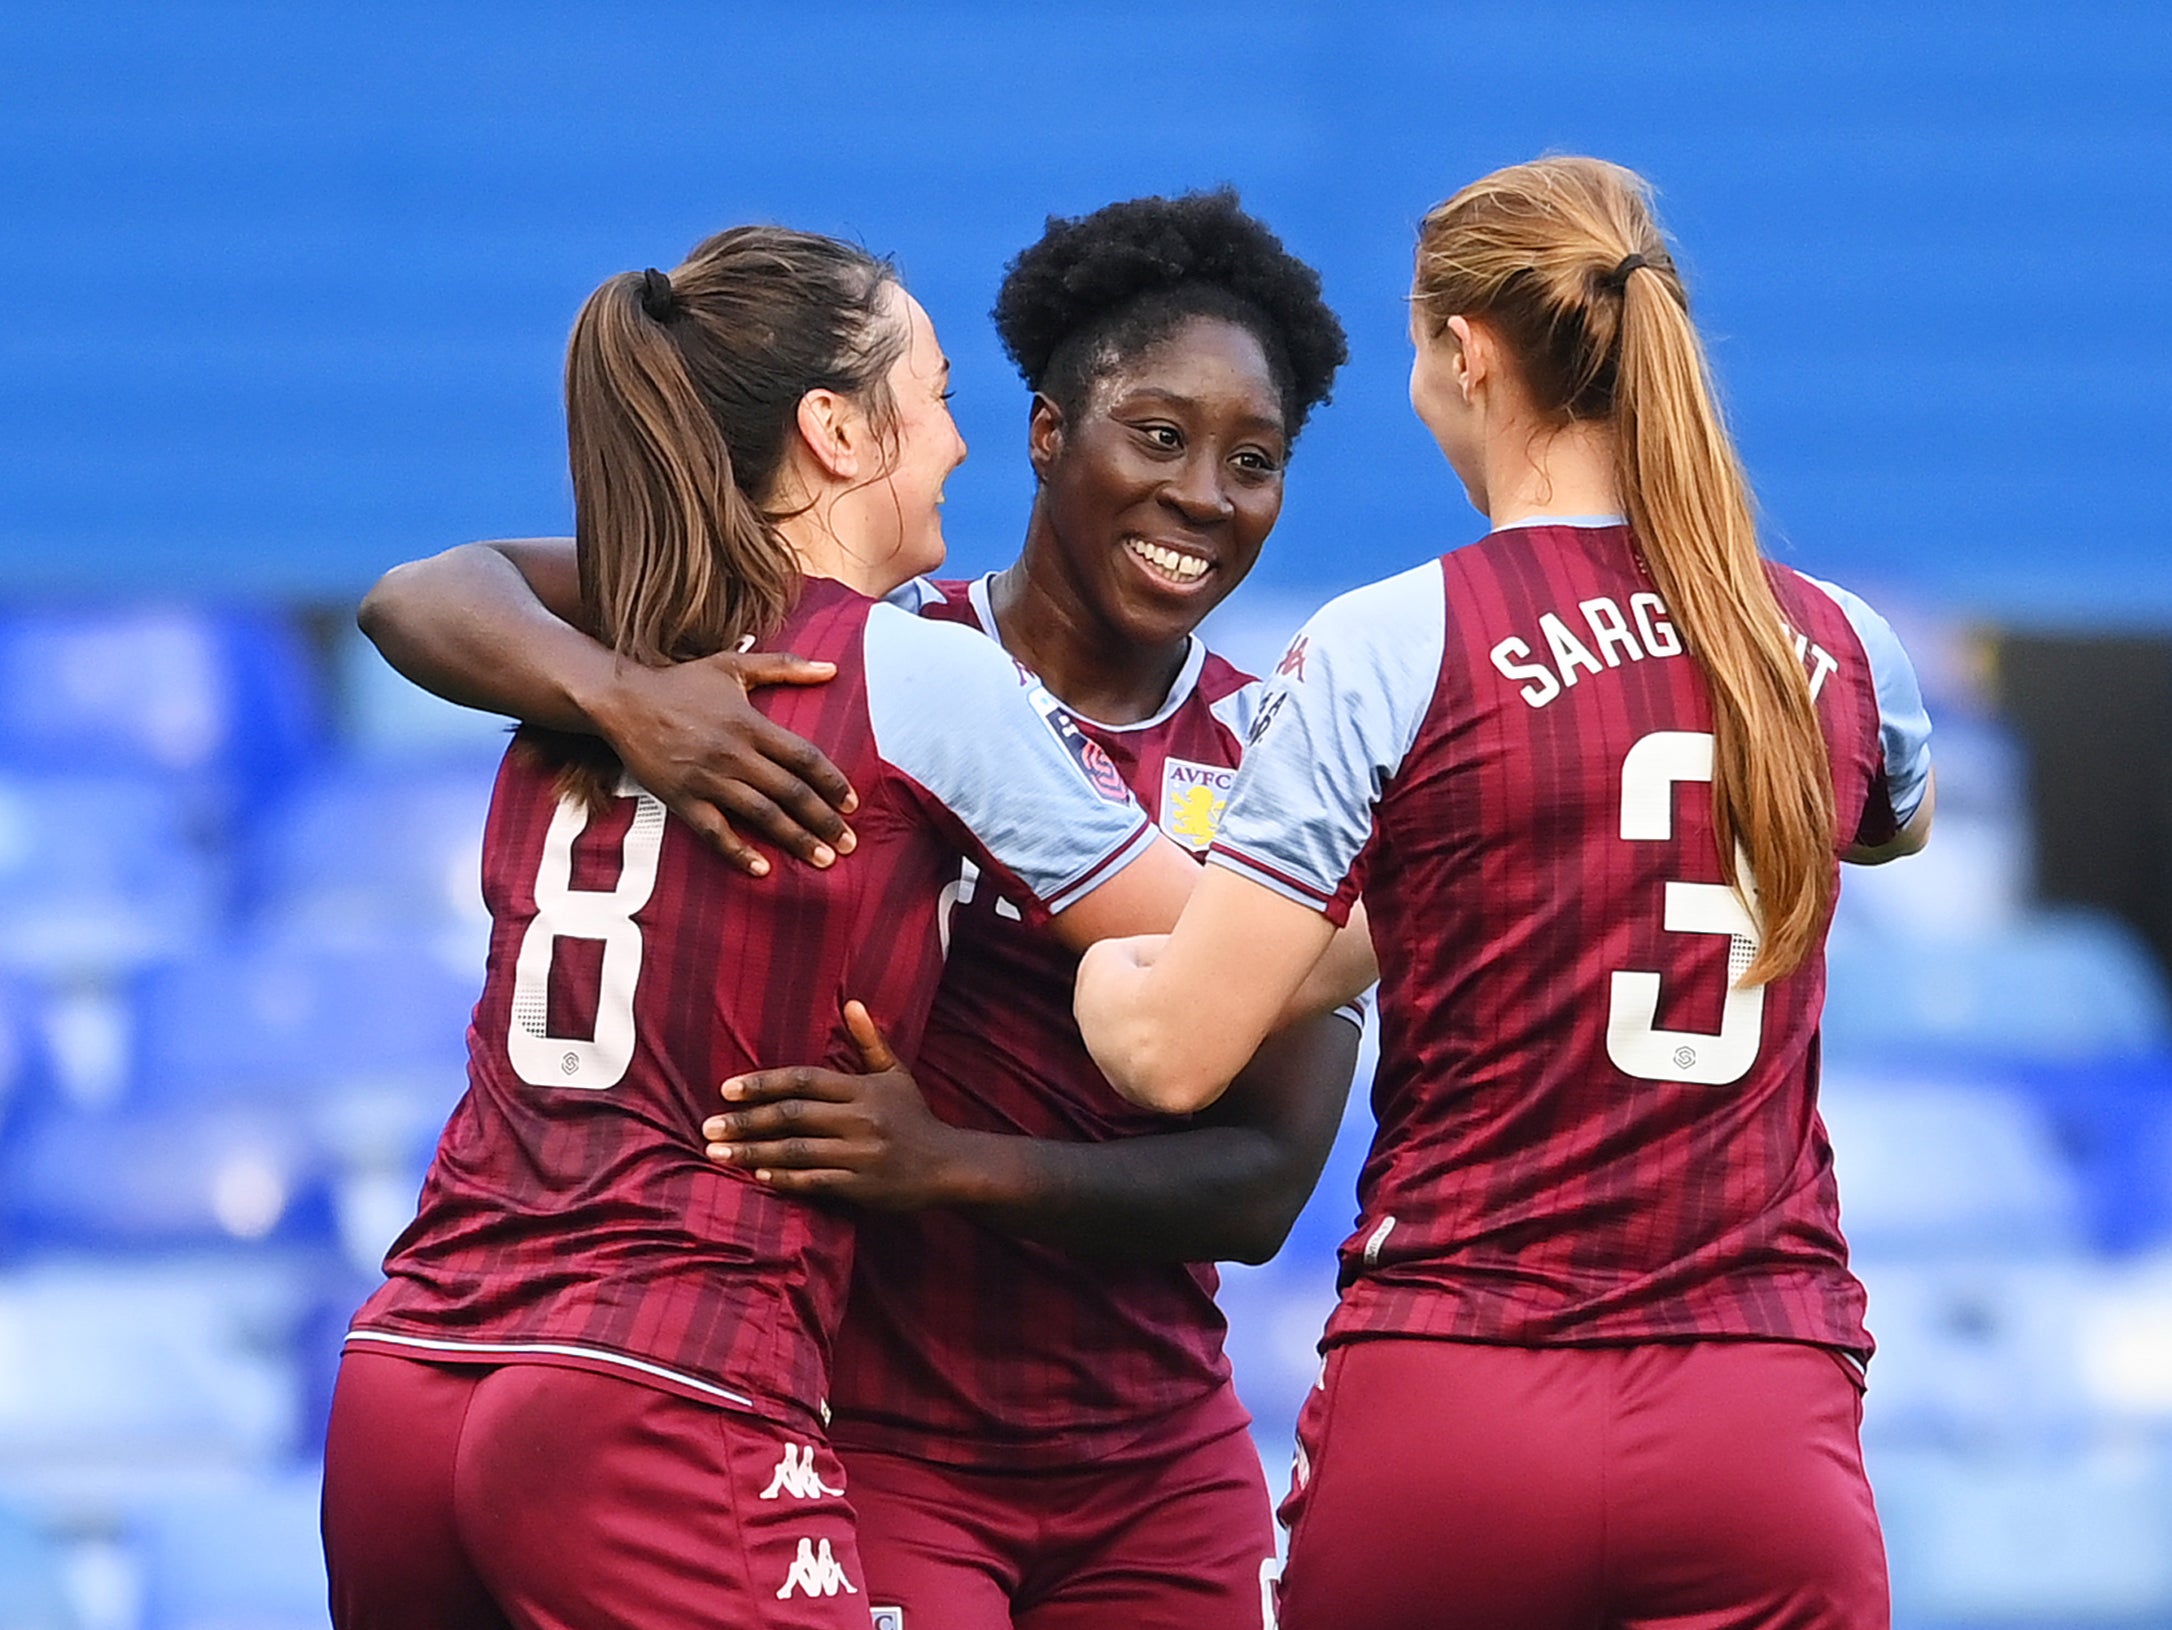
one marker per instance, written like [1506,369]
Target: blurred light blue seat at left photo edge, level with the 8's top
[101,875]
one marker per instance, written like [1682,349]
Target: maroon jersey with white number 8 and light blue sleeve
[570,1214]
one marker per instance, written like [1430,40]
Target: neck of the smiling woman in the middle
[1089,668]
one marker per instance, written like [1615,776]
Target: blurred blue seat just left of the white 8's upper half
[375,849]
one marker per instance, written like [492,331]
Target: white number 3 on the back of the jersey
[1634,1042]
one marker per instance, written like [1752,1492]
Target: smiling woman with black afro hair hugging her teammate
[1031,1392]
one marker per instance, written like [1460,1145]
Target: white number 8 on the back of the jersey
[566,912]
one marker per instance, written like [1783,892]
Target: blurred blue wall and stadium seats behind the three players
[290,292]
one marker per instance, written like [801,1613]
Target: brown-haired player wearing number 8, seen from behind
[594,1385]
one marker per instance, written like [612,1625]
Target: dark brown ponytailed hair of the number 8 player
[681,399]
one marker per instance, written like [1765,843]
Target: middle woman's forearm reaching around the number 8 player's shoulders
[470,629]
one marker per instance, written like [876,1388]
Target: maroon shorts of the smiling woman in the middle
[1178,1542]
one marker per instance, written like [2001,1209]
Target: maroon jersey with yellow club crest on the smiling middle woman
[965,1344]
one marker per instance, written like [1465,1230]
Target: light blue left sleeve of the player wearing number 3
[1337,720]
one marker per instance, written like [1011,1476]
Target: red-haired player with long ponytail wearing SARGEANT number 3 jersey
[1600,1353]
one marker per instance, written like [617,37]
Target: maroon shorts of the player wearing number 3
[1710,1485]
